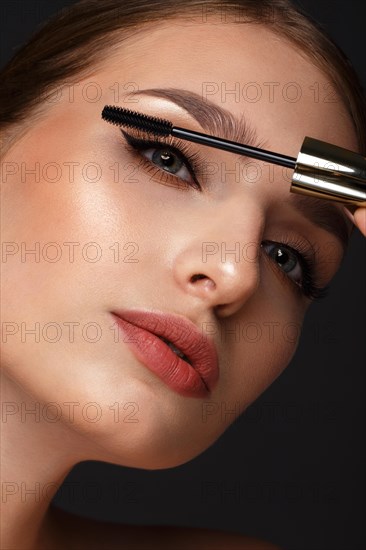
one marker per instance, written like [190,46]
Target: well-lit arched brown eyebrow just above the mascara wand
[212,118]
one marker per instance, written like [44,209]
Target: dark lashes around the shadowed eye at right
[303,251]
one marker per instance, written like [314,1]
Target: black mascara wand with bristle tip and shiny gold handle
[321,169]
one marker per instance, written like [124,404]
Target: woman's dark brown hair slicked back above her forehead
[80,37]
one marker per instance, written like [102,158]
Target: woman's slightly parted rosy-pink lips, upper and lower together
[143,329]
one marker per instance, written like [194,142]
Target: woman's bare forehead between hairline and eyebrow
[245,68]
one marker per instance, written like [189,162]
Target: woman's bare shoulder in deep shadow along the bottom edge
[73,532]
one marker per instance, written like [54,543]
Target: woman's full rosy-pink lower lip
[157,356]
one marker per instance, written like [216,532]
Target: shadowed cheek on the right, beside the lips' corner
[263,342]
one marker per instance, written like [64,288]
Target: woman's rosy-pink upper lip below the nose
[184,334]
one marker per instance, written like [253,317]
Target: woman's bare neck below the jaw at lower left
[35,459]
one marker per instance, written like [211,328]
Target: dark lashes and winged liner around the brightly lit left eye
[193,160]
